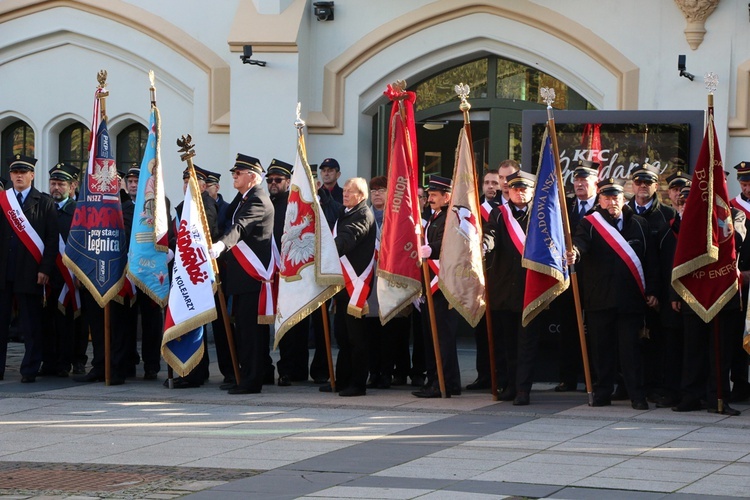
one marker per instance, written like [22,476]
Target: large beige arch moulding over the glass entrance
[579,38]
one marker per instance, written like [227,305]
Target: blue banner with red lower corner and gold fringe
[544,251]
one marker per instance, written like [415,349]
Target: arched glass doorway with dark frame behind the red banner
[501,89]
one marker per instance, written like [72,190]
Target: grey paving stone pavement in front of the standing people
[60,439]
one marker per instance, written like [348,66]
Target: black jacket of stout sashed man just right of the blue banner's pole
[607,281]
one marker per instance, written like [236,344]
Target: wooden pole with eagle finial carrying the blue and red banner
[548,94]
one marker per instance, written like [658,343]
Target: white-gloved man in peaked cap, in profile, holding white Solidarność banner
[252,228]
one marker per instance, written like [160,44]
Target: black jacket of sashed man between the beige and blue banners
[506,278]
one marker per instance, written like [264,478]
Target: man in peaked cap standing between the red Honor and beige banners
[440,190]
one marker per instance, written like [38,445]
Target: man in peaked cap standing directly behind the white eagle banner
[293,353]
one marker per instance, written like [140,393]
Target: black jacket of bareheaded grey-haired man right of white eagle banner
[356,233]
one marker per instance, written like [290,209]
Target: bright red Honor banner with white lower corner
[399,266]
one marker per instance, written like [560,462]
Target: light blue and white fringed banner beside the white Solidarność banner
[147,256]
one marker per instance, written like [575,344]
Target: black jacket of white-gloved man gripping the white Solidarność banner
[253,224]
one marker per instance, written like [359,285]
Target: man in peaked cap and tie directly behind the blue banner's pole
[585,176]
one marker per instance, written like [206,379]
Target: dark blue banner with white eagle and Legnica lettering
[95,250]
